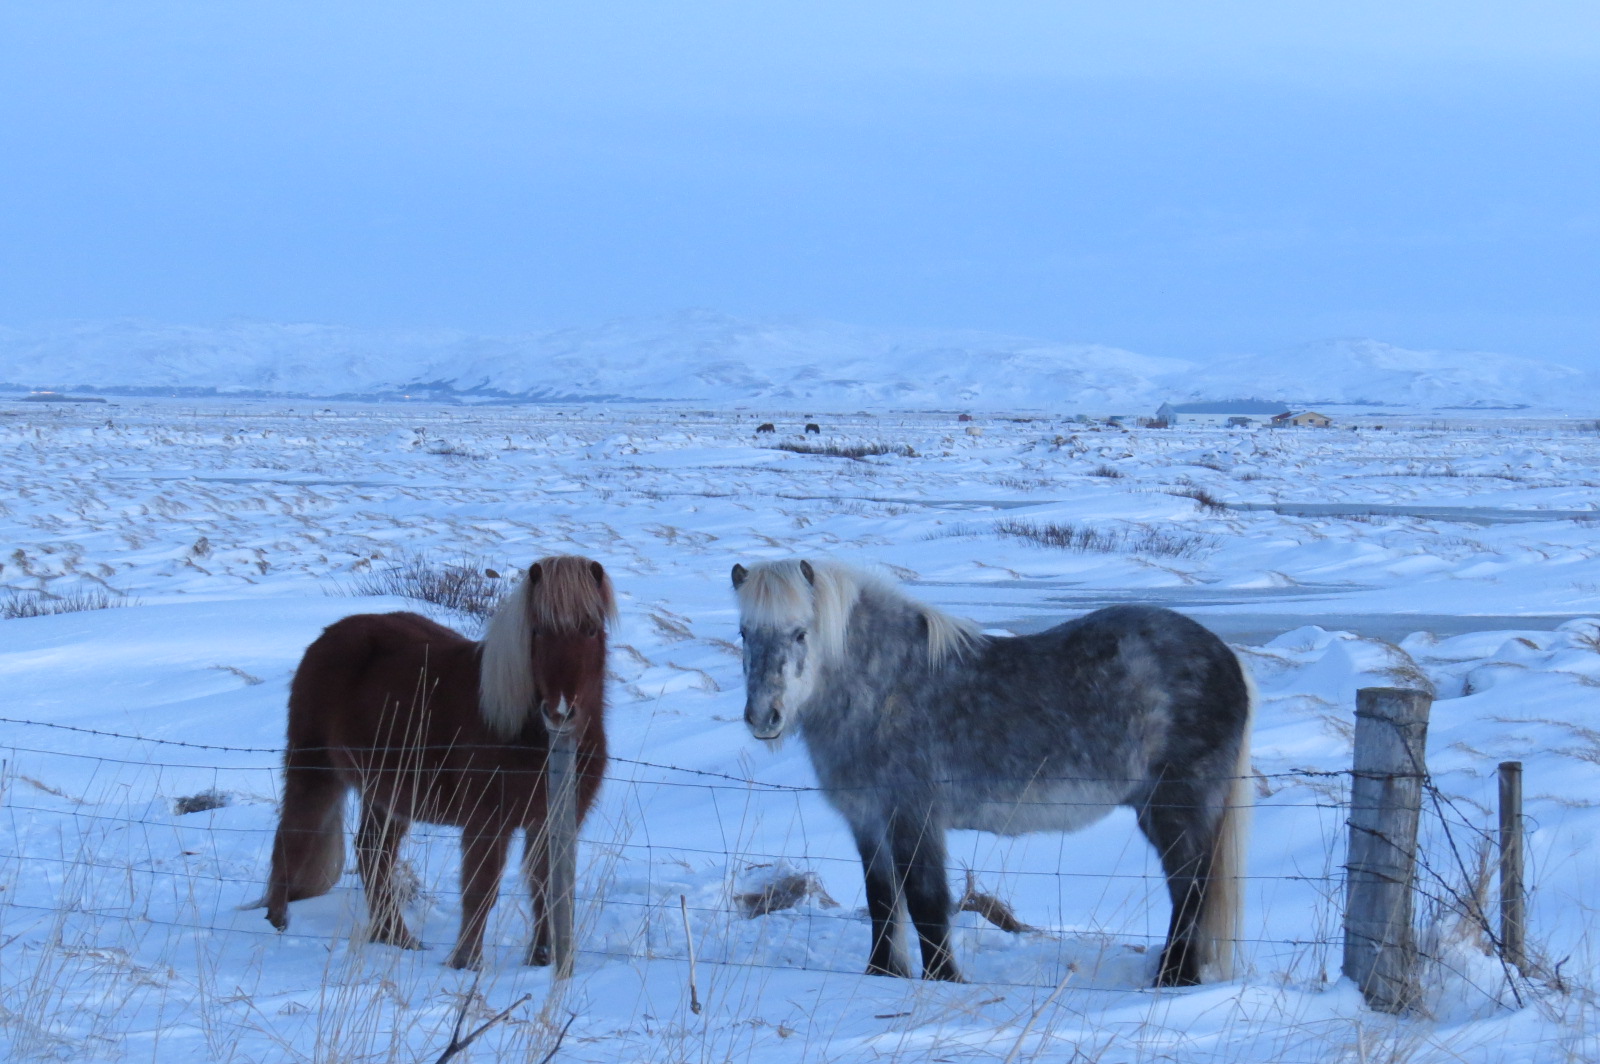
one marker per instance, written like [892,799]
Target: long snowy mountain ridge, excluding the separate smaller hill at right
[692,356]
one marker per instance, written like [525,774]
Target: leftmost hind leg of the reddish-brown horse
[308,850]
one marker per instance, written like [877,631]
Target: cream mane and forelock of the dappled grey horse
[778,593]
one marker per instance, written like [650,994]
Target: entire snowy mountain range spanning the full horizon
[713,359]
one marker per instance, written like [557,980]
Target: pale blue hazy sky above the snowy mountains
[1177,178]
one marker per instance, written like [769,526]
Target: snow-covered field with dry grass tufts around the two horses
[1460,554]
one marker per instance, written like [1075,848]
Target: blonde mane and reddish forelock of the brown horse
[567,598]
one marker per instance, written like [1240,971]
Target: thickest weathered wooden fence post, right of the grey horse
[1386,804]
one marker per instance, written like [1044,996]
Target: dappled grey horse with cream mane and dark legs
[919,724]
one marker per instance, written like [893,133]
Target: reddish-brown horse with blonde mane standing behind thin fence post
[431,727]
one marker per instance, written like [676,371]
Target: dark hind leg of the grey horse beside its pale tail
[1183,831]
